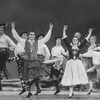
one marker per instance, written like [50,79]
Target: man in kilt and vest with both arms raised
[35,70]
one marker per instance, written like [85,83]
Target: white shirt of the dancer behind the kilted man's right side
[44,50]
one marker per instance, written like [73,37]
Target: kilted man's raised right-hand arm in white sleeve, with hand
[47,37]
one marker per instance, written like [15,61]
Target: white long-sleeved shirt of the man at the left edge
[6,42]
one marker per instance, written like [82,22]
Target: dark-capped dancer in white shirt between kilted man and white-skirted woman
[57,52]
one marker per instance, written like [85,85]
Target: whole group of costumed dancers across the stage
[35,62]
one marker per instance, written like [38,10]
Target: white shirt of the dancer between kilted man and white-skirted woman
[57,51]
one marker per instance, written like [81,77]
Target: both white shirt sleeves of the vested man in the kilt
[40,42]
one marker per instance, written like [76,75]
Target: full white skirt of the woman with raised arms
[74,73]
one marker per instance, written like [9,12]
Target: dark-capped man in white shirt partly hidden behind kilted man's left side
[19,57]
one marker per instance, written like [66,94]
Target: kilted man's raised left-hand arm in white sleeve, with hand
[15,34]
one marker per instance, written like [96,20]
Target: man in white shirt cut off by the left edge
[5,44]
